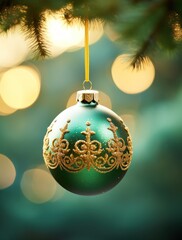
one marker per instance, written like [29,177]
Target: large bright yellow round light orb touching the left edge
[20,86]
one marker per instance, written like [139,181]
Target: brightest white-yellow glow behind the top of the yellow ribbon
[62,36]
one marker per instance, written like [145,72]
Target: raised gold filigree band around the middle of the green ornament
[88,153]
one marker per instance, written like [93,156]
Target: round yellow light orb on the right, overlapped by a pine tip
[131,80]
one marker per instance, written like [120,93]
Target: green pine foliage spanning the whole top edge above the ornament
[143,26]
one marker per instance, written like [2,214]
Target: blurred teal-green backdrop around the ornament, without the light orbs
[146,204]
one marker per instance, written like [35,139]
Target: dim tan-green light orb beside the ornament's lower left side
[38,186]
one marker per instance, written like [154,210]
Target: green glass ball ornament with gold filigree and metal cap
[87,147]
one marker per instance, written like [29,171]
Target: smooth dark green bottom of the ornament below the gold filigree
[88,182]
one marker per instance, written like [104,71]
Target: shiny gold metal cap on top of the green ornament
[87,96]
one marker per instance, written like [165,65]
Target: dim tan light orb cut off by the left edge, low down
[7,172]
